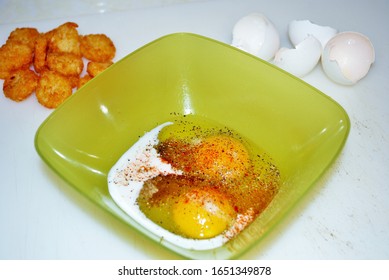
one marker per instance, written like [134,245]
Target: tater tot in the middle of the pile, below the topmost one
[67,64]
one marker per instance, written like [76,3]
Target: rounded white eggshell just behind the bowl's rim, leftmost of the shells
[256,35]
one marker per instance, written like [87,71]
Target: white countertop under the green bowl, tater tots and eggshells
[344,216]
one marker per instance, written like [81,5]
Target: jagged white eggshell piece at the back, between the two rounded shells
[300,29]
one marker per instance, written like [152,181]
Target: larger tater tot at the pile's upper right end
[97,47]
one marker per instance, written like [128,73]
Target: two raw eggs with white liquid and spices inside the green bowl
[193,183]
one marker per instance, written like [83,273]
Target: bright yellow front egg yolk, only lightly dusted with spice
[202,214]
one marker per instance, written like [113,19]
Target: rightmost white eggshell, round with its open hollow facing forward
[347,57]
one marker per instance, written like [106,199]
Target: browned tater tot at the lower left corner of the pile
[20,84]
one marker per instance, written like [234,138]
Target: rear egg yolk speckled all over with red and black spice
[221,157]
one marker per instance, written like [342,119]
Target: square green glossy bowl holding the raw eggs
[302,129]
